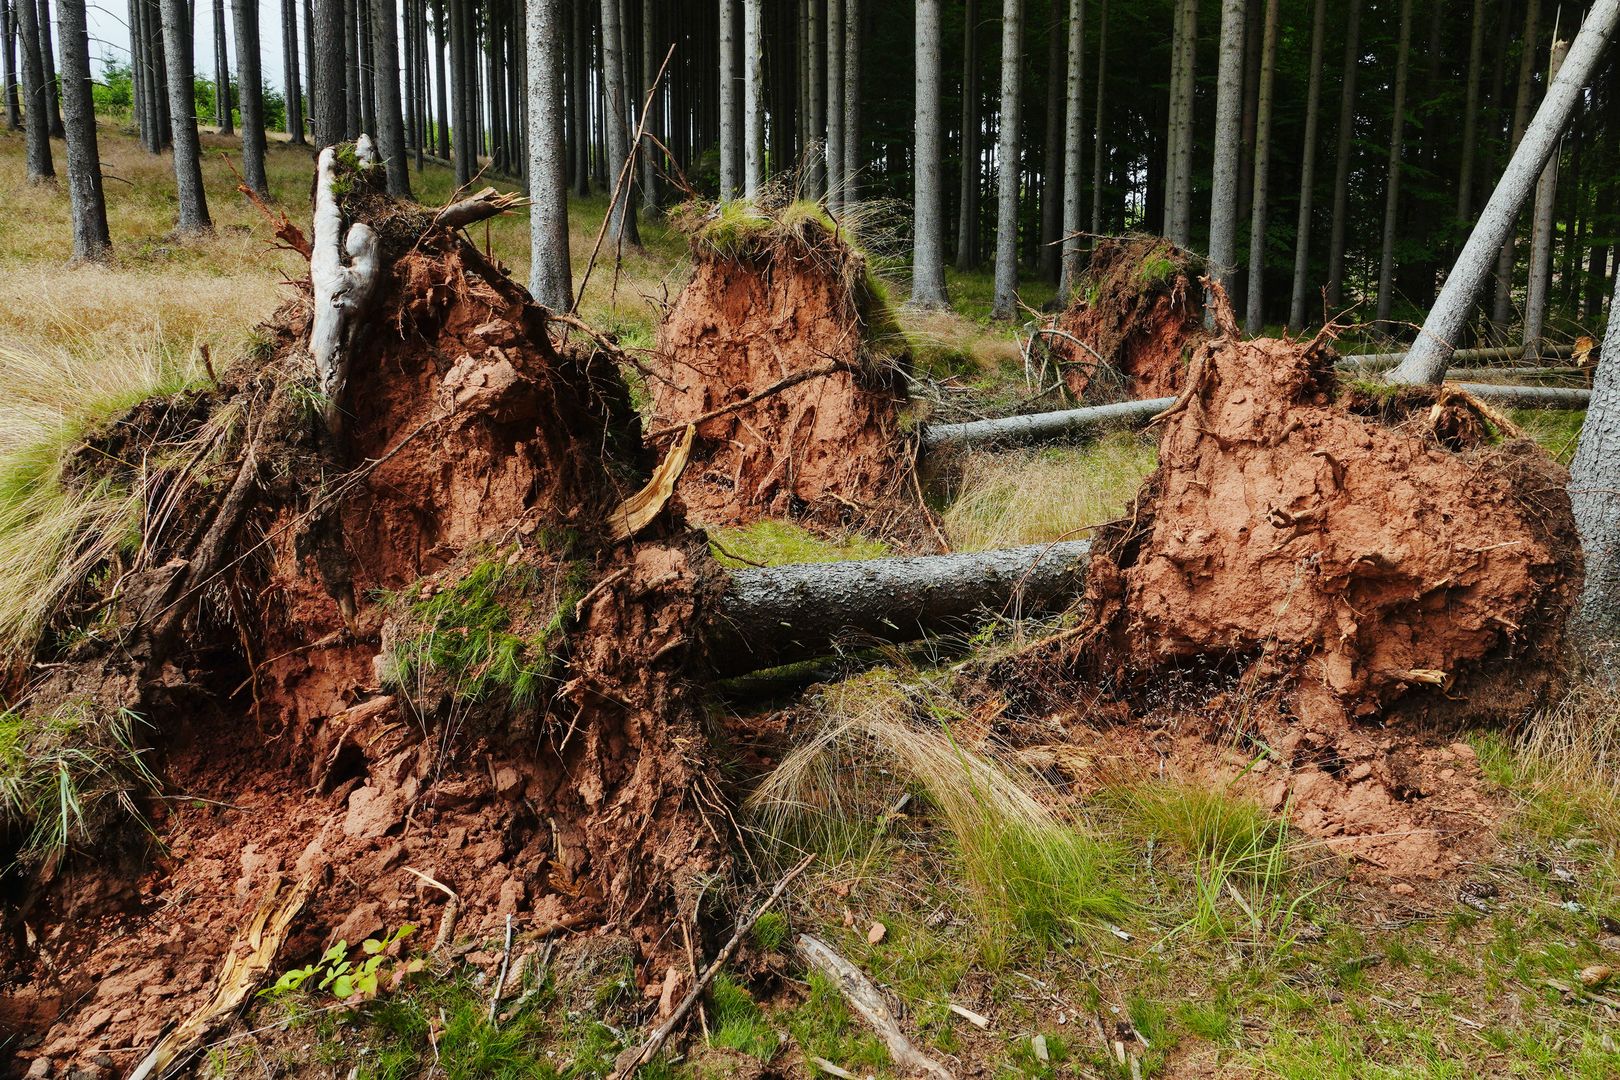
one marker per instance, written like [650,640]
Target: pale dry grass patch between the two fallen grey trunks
[1039,496]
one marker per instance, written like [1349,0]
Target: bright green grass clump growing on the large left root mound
[498,627]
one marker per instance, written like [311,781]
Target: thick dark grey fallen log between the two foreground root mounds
[785,614]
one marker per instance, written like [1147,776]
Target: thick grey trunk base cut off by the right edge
[1595,498]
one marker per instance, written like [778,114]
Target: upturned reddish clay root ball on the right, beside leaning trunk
[1332,590]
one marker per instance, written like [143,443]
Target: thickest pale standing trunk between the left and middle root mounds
[550,279]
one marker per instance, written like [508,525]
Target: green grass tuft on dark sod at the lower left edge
[66,775]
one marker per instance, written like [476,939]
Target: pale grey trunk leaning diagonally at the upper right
[1433,349]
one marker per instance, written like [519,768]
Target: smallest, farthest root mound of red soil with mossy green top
[1140,312]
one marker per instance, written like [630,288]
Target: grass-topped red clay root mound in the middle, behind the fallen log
[783,352]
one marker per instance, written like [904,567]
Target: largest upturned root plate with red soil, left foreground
[382,658]
